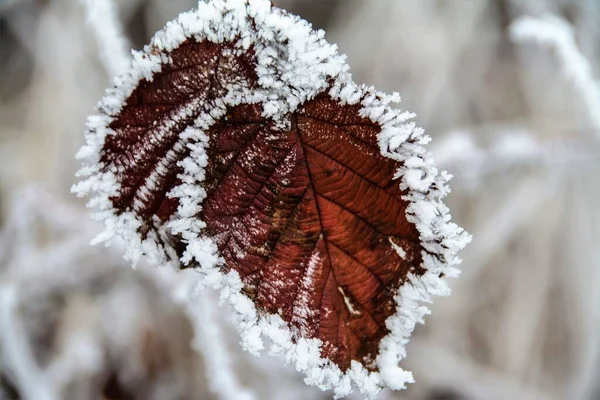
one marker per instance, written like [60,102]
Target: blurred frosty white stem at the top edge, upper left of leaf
[112,45]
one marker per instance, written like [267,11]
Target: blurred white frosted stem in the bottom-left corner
[16,352]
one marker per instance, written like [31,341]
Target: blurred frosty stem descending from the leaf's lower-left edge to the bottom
[209,341]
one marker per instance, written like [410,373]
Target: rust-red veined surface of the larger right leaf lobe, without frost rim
[307,218]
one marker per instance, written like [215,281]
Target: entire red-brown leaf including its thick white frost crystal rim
[238,145]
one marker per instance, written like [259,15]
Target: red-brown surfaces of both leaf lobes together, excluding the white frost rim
[309,217]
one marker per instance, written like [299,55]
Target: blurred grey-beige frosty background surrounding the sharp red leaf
[507,89]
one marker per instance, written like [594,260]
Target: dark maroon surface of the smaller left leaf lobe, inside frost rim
[148,128]
